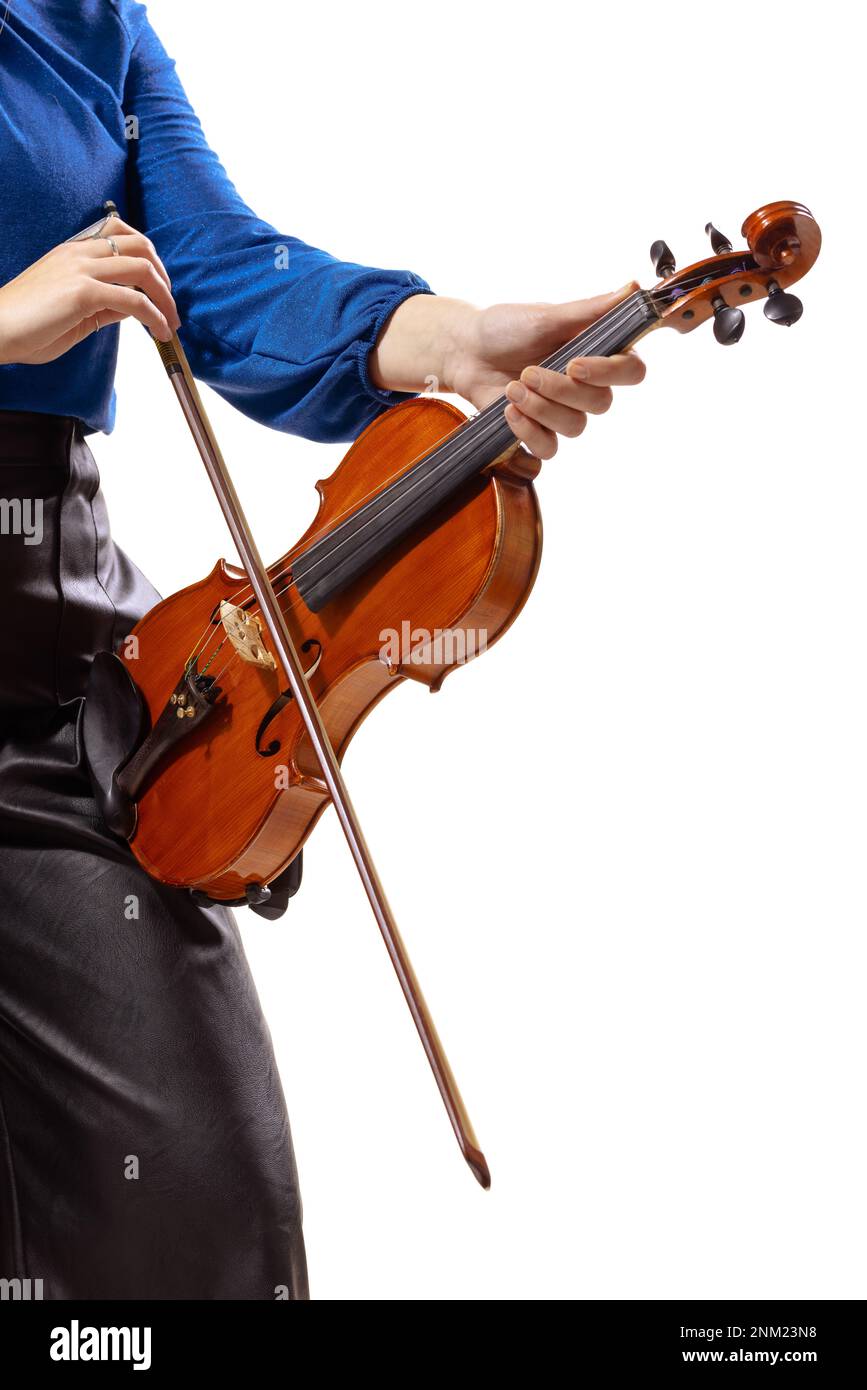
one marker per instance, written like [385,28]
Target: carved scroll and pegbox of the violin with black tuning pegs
[775,247]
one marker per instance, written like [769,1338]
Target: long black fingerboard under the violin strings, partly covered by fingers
[337,559]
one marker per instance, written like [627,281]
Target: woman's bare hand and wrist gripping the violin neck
[483,354]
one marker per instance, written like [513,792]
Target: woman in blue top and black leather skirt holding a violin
[145,1149]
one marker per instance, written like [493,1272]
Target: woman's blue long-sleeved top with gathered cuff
[277,327]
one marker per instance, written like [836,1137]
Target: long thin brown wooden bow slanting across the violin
[187,393]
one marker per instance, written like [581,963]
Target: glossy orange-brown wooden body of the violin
[236,800]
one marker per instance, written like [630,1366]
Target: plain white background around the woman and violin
[627,849]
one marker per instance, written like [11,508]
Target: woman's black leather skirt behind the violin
[145,1149]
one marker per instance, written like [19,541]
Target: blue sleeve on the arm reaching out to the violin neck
[280,329]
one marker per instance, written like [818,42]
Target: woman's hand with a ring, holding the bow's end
[80,288]
